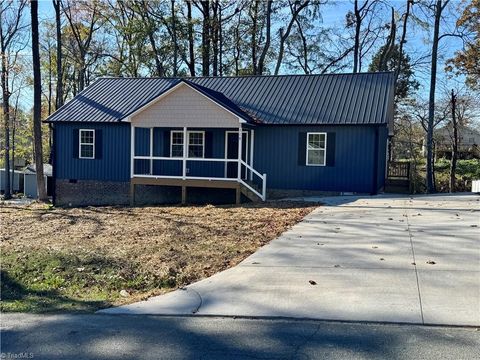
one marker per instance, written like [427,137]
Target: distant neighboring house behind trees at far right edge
[468,142]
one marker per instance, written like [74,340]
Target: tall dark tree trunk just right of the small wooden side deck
[431,104]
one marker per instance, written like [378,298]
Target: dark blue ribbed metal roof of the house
[363,98]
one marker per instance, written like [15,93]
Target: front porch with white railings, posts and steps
[186,157]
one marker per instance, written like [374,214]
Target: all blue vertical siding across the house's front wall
[275,153]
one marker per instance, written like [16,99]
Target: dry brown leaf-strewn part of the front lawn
[178,244]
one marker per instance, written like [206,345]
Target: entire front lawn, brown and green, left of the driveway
[83,259]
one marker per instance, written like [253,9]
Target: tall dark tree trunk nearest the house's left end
[37,104]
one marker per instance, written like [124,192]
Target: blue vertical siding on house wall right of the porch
[276,154]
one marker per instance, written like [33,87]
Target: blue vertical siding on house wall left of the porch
[114,164]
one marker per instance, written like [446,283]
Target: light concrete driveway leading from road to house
[387,259]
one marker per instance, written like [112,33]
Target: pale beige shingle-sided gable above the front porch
[185,106]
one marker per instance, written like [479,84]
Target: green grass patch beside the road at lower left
[51,281]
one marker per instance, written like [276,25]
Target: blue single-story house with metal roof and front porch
[149,140]
